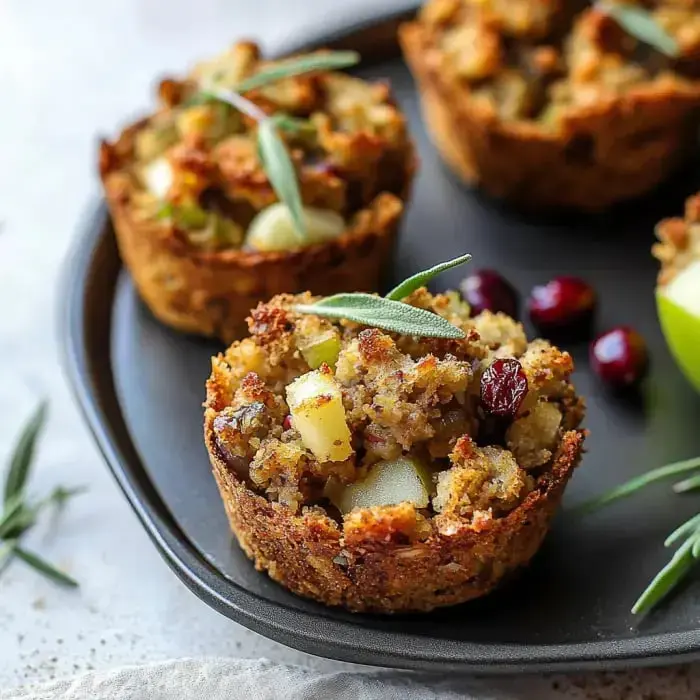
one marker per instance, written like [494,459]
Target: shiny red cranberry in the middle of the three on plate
[563,305]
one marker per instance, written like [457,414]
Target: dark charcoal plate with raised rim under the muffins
[141,388]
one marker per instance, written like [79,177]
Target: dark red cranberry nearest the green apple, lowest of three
[619,357]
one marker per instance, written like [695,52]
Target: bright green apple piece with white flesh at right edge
[678,306]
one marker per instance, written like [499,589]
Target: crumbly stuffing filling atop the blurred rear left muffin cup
[349,144]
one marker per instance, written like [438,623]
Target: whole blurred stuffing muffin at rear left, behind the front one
[197,222]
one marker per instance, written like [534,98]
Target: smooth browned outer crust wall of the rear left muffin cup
[212,293]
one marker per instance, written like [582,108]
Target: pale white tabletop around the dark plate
[69,71]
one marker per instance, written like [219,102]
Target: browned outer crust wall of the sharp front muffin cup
[365,571]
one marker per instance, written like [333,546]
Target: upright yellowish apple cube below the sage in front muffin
[316,404]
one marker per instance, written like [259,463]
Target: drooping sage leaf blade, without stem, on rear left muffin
[281,173]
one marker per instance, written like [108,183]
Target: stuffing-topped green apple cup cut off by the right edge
[678,288]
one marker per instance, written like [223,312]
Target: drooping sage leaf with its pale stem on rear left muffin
[274,156]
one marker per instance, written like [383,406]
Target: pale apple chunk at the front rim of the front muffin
[387,483]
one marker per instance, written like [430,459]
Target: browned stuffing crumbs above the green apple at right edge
[679,241]
